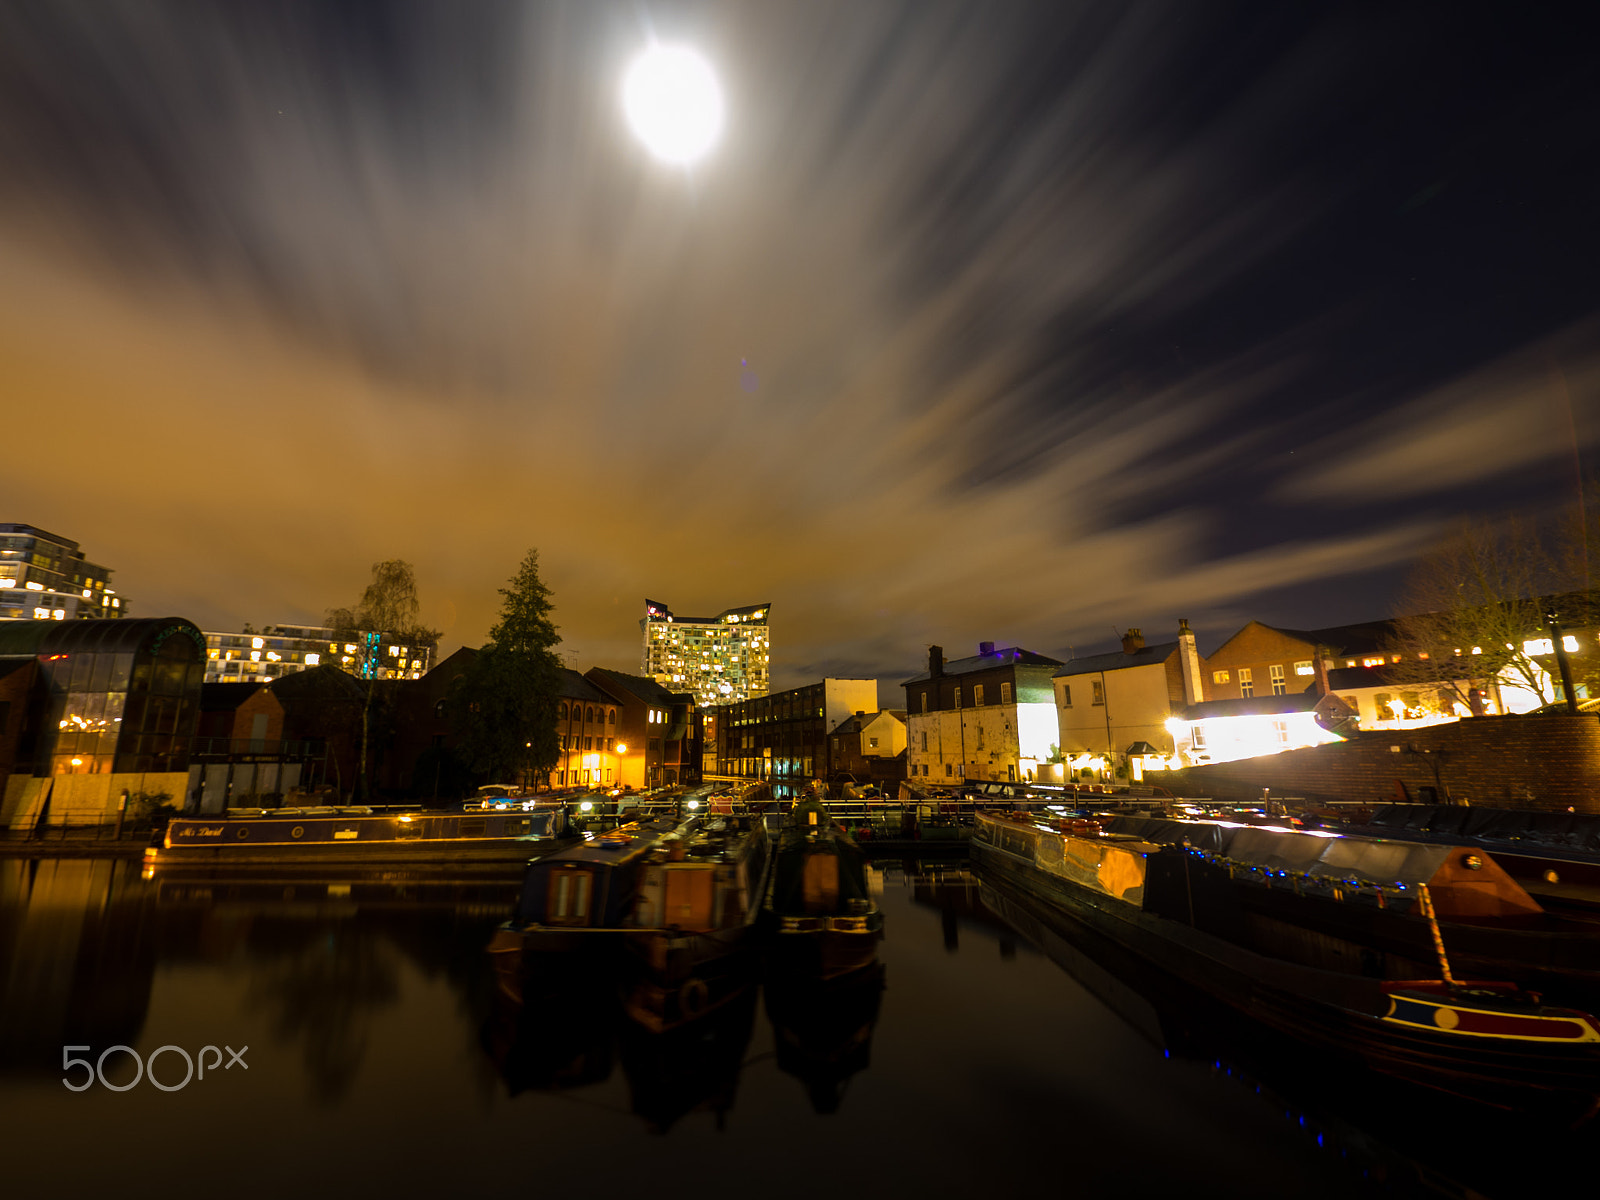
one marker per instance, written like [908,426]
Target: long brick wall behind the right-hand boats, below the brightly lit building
[1548,761]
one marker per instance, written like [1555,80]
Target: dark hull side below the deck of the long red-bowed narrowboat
[1343,1015]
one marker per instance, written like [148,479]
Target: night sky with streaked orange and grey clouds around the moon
[1001,322]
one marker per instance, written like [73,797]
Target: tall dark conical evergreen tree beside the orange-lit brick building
[505,703]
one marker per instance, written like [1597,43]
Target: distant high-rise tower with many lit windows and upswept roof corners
[721,660]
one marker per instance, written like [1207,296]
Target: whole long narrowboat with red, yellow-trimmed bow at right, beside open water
[1490,1042]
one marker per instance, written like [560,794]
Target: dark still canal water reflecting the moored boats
[375,1057]
